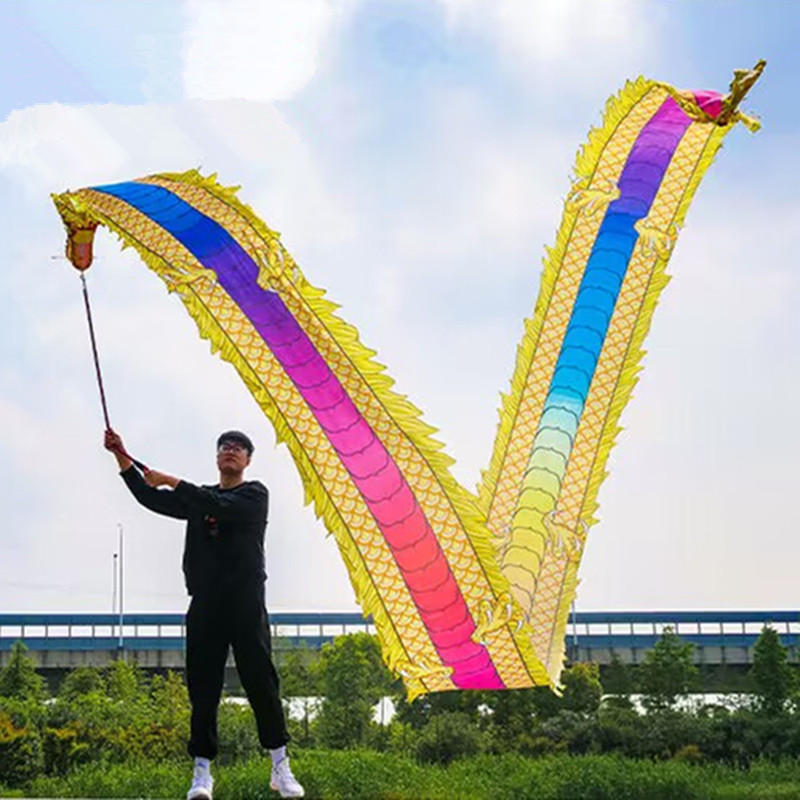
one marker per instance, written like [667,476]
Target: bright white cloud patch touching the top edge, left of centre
[254,49]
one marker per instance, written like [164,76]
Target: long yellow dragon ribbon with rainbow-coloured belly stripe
[466,592]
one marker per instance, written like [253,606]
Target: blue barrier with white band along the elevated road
[588,633]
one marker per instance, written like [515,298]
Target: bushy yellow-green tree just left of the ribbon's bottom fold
[353,679]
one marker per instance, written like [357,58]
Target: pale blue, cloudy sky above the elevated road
[415,157]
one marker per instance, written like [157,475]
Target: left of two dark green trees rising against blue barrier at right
[667,672]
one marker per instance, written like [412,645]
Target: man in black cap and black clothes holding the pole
[223,563]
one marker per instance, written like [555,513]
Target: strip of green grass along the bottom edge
[375,776]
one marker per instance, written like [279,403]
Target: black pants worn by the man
[217,620]
